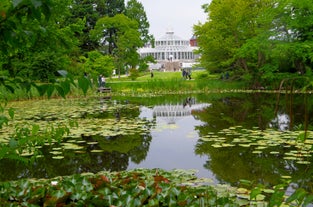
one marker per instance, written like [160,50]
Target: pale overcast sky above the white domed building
[178,15]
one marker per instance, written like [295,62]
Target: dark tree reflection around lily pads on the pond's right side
[232,164]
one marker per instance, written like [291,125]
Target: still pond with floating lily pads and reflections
[225,137]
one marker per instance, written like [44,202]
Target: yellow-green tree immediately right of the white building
[222,36]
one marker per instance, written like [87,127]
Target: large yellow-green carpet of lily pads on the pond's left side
[83,124]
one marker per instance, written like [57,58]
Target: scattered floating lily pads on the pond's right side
[259,141]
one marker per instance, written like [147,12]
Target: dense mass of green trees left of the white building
[38,38]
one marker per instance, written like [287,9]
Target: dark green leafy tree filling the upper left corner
[44,44]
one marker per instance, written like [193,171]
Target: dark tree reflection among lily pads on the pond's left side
[98,152]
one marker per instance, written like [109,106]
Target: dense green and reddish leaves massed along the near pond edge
[133,188]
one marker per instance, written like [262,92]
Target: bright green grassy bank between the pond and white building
[172,82]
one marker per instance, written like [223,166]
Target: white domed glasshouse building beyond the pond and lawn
[170,52]
